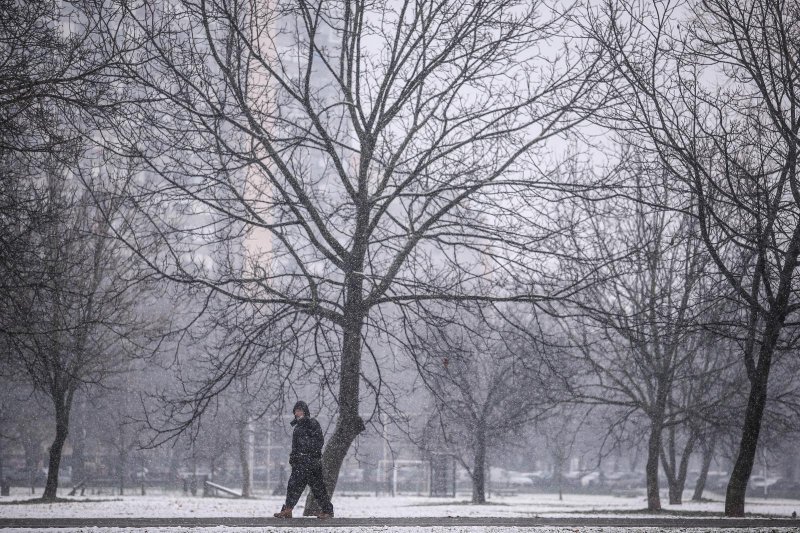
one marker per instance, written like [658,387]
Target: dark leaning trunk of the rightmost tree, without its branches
[737,486]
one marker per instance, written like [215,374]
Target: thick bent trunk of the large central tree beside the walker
[349,425]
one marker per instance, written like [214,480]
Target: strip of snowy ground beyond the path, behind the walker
[166,505]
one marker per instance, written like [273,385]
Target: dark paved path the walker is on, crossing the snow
[666,522]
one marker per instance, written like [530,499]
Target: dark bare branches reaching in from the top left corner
[50,70]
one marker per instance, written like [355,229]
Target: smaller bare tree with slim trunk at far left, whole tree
[77,318]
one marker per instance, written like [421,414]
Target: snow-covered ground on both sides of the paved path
[350,506]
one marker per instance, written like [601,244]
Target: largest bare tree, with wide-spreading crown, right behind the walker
[353,144]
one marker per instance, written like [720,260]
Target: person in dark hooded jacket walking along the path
[306,463]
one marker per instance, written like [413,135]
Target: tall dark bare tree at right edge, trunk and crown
[713,88]
